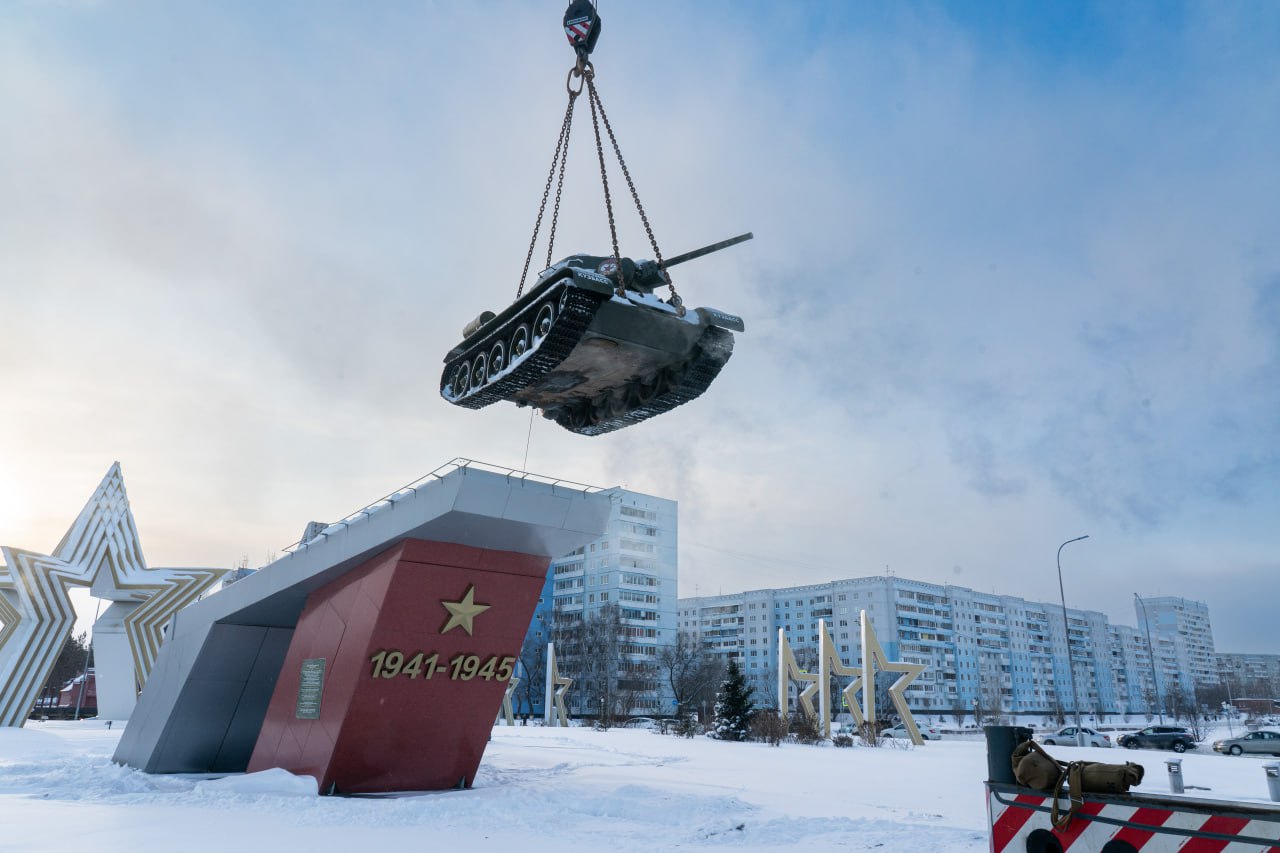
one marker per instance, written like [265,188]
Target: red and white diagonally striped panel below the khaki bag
[1011,827]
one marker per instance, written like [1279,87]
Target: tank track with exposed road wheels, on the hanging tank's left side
[570,325]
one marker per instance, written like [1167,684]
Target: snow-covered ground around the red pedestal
[547,790]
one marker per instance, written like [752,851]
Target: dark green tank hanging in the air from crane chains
[593,358]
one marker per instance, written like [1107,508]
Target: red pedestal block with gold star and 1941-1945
[409,696]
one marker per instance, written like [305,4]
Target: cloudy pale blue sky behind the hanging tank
[1016,277]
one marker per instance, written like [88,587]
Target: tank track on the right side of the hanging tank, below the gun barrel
[675,387]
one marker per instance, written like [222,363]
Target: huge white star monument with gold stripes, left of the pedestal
[100,551]
